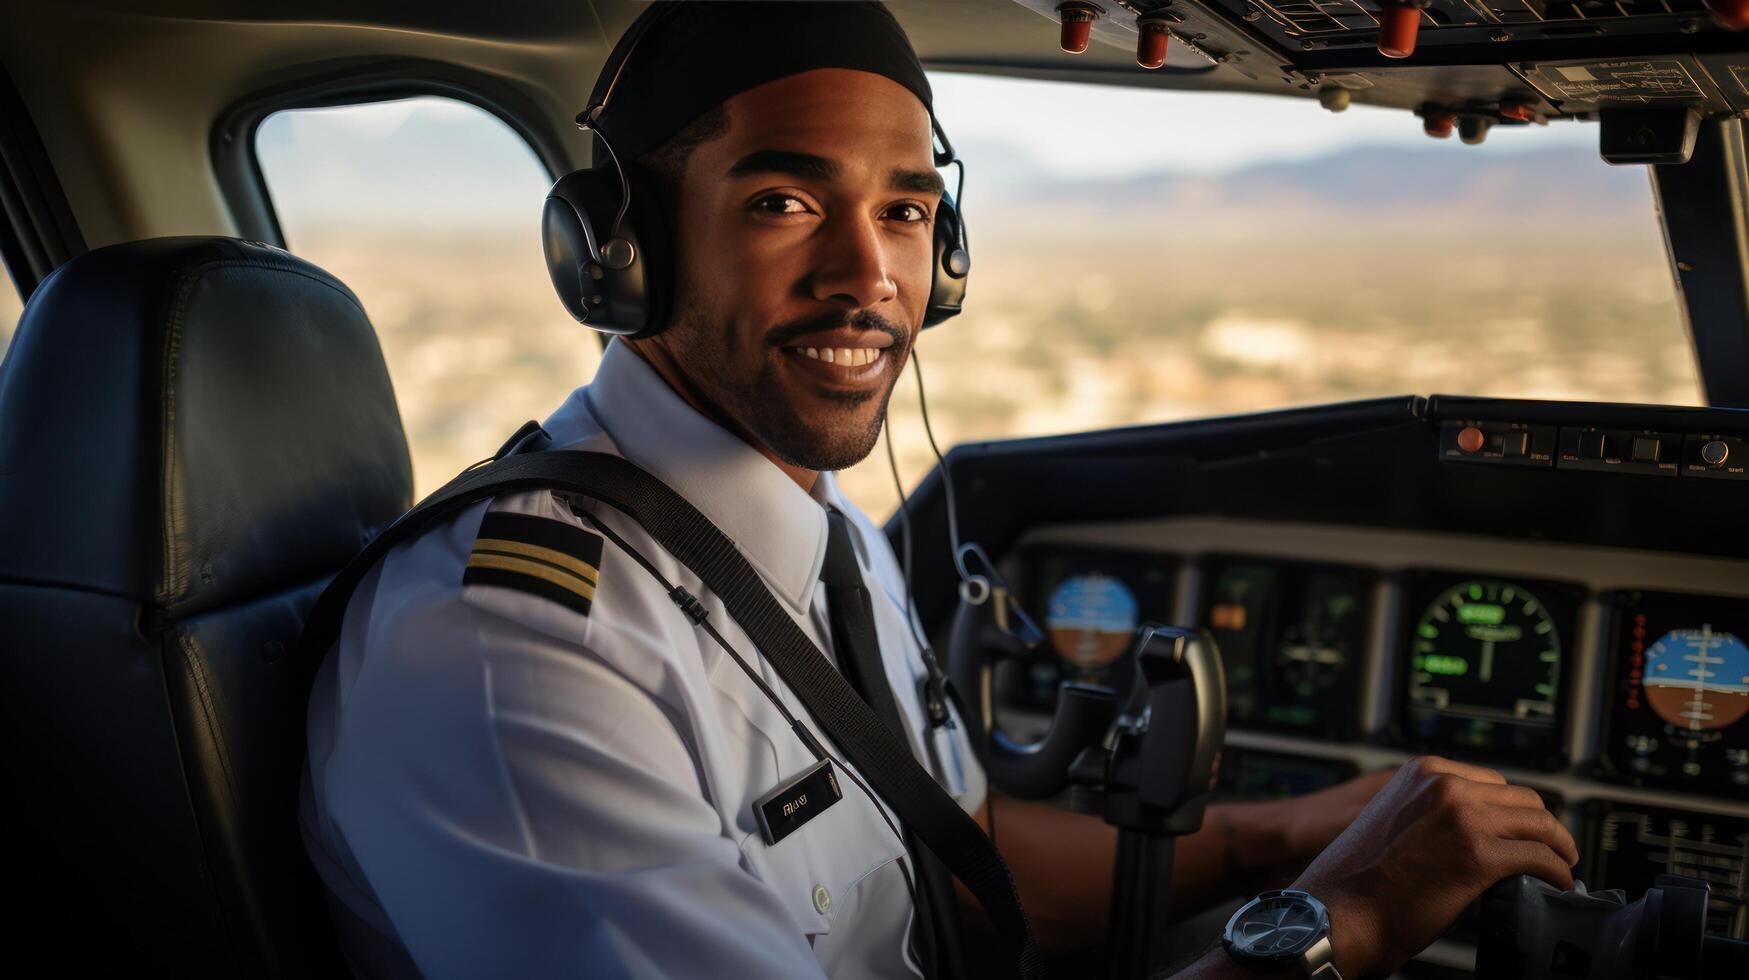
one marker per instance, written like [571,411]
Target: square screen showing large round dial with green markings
[1486,666]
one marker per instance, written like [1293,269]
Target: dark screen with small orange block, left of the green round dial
[1292,638]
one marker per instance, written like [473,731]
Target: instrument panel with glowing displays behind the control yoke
[1627,708]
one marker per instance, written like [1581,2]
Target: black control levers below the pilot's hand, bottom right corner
[1535,932]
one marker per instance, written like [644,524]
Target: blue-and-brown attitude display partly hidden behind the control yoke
[1089,603]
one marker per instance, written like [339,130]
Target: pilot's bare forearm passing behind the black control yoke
[1063,864]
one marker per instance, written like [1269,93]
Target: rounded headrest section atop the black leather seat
[193,421]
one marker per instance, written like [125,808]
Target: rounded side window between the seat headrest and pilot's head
[429,209]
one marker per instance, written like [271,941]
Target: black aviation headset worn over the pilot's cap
[608,239]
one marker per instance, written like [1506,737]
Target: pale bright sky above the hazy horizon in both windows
[435,162]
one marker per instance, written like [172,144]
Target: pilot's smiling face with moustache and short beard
[805,248]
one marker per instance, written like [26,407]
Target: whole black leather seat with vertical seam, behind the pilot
[195,435]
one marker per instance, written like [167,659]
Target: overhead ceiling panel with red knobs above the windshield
[1514,62]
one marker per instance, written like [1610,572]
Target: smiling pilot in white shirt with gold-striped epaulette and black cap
[526,760]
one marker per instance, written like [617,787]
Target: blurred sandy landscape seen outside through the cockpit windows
[1134,300]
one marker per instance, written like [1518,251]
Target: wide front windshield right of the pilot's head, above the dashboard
[1145,256]
